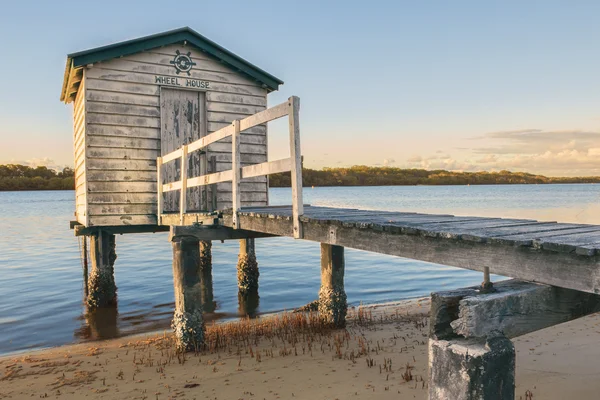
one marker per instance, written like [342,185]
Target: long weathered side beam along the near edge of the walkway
[528,263]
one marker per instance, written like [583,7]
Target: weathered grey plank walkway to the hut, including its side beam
[558,254]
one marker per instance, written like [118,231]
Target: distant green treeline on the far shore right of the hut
[387,176]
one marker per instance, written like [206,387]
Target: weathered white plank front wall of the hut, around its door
[123,131]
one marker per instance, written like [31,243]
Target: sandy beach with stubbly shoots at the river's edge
[381,354]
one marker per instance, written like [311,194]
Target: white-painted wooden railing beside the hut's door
[291,108]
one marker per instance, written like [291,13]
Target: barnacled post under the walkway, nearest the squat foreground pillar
[332,296]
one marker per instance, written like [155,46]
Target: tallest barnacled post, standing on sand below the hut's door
[188,322]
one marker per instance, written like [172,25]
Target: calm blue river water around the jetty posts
[41,282]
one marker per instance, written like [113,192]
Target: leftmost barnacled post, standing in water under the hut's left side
[102,291]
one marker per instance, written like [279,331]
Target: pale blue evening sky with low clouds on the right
[458,85]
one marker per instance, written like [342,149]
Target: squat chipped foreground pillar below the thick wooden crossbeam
[472,369]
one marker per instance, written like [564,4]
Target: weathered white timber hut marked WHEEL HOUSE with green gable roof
[139,99]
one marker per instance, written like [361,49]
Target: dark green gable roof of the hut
[76,61]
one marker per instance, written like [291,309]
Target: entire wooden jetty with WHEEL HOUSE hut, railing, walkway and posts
[170,134]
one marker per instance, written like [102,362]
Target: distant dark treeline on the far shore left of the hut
[22,177]
